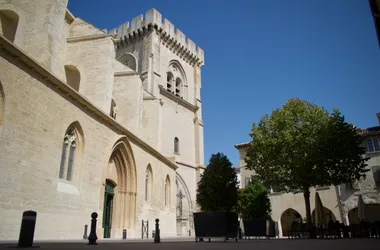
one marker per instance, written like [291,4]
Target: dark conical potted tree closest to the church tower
[217,189]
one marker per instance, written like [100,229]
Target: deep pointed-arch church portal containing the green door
[119,191]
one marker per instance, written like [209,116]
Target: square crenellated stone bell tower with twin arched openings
[169,65]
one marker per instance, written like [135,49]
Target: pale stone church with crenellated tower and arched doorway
[99,121]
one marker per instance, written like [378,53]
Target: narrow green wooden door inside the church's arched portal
[107,208]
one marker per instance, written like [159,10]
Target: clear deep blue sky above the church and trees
[259,53]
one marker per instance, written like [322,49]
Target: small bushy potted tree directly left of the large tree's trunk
[253,201]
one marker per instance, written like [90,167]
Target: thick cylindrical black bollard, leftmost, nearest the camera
[28,225]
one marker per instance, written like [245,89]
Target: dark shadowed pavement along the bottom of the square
[173,244]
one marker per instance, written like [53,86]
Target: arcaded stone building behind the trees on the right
[340,202]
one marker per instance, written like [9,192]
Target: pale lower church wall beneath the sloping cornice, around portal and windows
[36,116]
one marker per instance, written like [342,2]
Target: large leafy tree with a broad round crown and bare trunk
[300,146]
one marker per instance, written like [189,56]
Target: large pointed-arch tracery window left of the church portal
[72,153]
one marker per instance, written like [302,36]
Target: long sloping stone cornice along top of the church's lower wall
[82,101]
